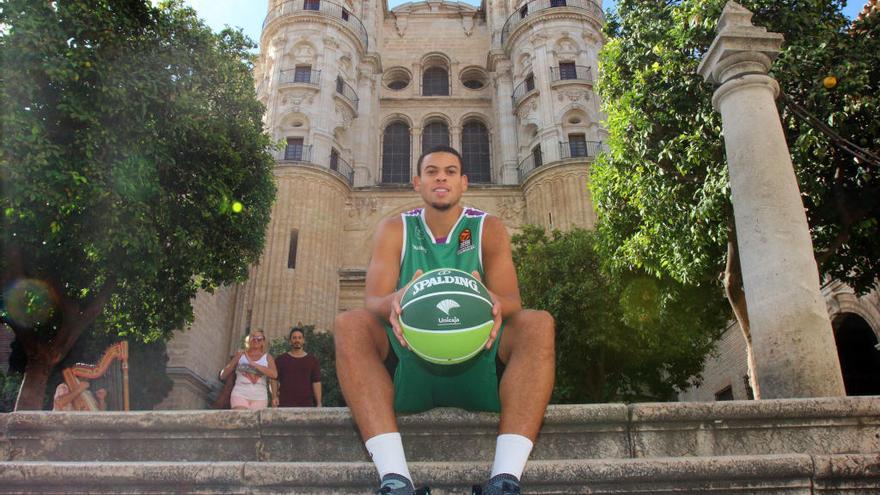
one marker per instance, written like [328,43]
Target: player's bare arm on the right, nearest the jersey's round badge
[500,274]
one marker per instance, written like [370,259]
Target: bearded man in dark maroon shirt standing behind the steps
[299,375]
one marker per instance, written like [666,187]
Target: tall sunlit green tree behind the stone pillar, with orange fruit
[662,193]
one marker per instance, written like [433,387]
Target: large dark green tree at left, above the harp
[134,168]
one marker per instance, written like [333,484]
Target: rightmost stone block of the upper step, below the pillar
[814,426]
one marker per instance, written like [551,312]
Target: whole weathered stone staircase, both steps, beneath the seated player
[809,446]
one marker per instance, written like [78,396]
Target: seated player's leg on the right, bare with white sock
[527,348]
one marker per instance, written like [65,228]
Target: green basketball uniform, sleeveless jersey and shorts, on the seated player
[418,384]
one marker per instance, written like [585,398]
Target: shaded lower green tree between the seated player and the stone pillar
[627,337]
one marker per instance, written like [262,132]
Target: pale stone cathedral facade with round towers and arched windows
[354,92]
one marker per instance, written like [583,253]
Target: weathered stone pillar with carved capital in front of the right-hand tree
[792,339]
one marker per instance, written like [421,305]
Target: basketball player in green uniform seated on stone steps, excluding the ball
[444,234]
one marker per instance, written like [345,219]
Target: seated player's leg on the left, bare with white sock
[361,349]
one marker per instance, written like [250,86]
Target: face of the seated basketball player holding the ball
[441,182]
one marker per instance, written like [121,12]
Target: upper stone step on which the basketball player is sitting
[606,431]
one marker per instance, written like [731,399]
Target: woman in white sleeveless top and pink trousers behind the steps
[252,366]
